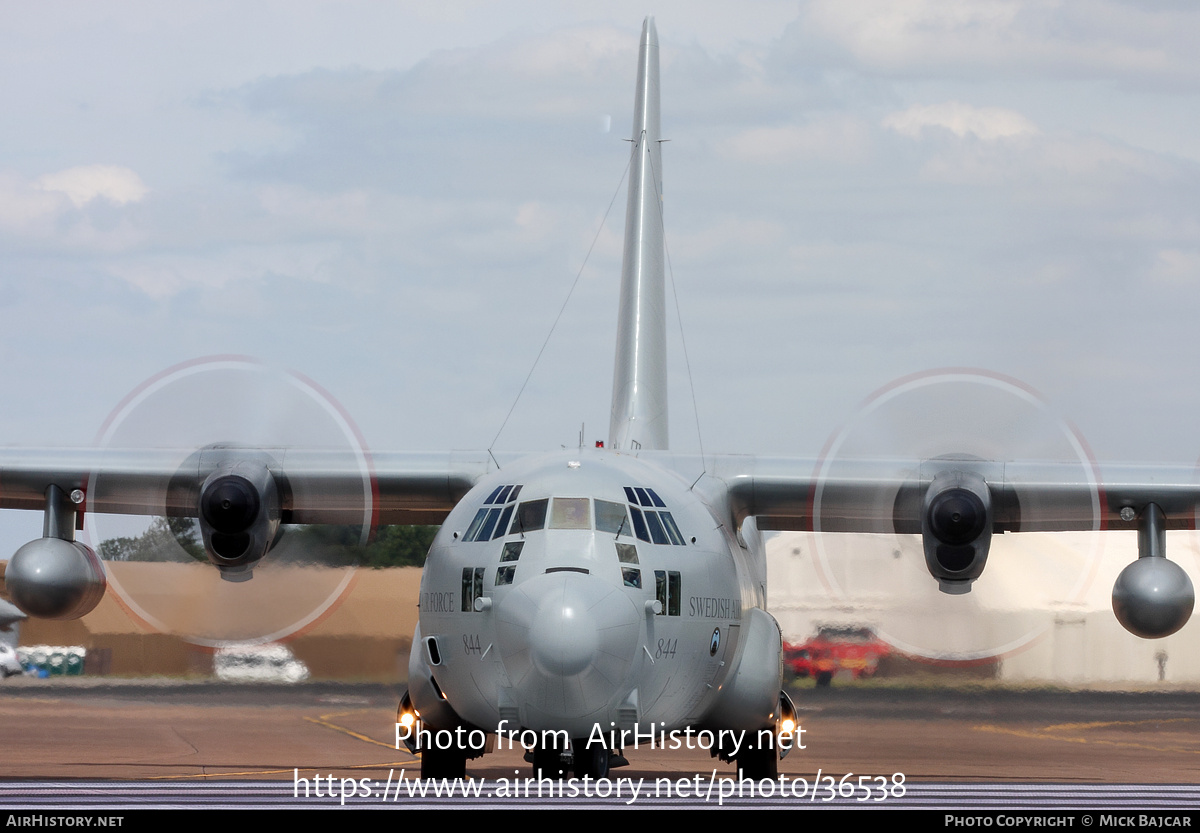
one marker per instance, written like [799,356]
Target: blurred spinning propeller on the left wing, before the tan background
[233,424]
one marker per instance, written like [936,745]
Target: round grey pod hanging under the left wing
[56,579]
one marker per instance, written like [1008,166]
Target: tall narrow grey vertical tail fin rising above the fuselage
[639,416]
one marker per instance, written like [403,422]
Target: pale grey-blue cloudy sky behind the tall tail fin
[395,199]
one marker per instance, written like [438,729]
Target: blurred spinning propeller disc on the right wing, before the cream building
[956,441]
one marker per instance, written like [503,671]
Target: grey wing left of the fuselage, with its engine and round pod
[241,498]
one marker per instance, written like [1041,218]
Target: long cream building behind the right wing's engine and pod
[1043,607]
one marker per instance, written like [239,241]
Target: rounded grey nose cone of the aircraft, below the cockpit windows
[567,640]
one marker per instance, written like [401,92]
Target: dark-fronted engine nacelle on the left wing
[239,511]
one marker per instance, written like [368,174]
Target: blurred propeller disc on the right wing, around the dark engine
[880,577]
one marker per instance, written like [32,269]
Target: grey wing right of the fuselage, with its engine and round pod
[957,505]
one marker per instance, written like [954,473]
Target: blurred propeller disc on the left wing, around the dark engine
[231,401]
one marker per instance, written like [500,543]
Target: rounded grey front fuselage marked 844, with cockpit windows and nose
[580,590]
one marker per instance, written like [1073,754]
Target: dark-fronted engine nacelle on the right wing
[956,530]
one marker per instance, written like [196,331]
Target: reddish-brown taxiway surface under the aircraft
[65,729]
